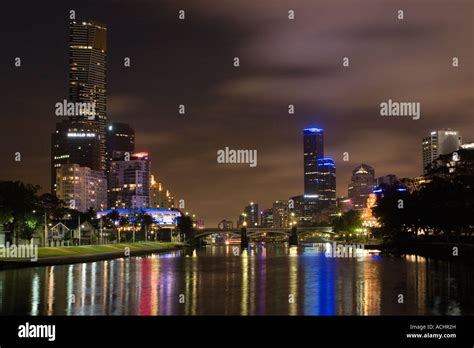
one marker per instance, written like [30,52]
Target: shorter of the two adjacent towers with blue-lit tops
[326,181]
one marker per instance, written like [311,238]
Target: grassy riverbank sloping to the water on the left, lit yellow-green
[48,256]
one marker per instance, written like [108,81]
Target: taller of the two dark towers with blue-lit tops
[313,147]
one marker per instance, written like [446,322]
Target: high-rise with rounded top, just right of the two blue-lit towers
[361,186]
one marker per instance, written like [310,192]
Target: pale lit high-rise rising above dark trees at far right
[439,143]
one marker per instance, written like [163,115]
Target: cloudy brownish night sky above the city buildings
[282,62]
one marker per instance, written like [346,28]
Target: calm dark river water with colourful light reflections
[271,280]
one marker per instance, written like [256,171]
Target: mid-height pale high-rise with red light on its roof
[130,182]
